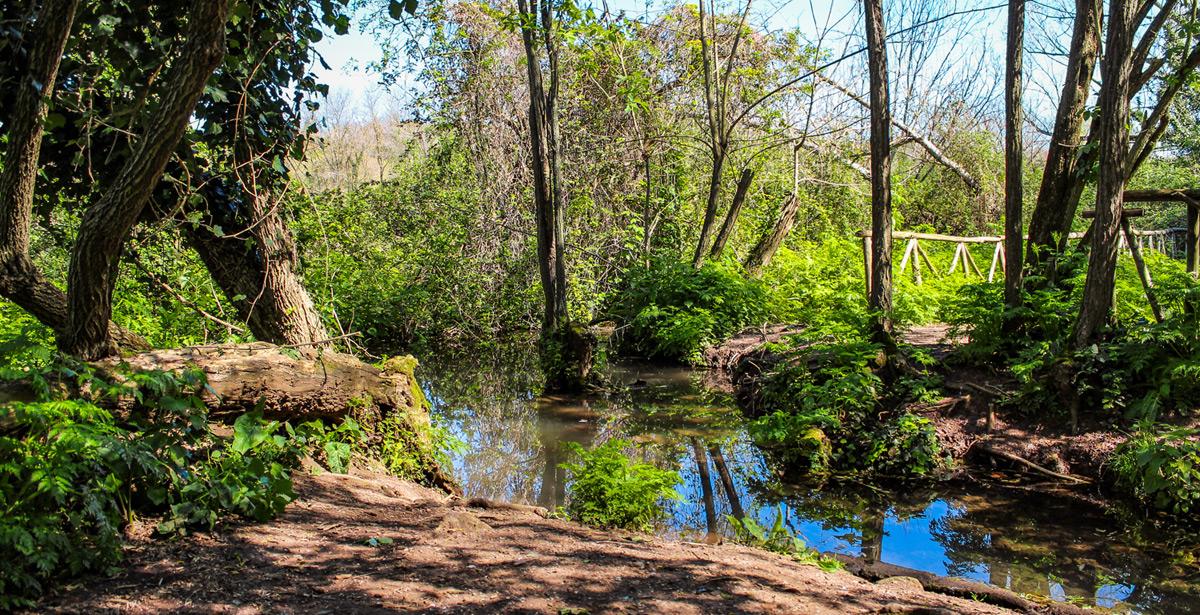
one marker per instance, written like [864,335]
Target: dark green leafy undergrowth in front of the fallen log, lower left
[73,475]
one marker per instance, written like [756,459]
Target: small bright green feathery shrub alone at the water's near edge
[608,491]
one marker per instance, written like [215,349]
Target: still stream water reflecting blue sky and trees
[1031,544]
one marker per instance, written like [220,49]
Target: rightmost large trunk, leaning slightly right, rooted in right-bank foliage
[1114,138]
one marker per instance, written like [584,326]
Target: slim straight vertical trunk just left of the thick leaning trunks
[1015,188]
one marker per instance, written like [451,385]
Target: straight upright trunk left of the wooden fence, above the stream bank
[880,301]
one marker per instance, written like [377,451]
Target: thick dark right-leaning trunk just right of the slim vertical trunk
[1054,211]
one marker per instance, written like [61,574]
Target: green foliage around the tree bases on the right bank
[1138,369]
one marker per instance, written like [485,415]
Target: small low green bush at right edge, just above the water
[1161,470]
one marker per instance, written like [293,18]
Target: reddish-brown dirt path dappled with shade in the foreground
[446,558]
